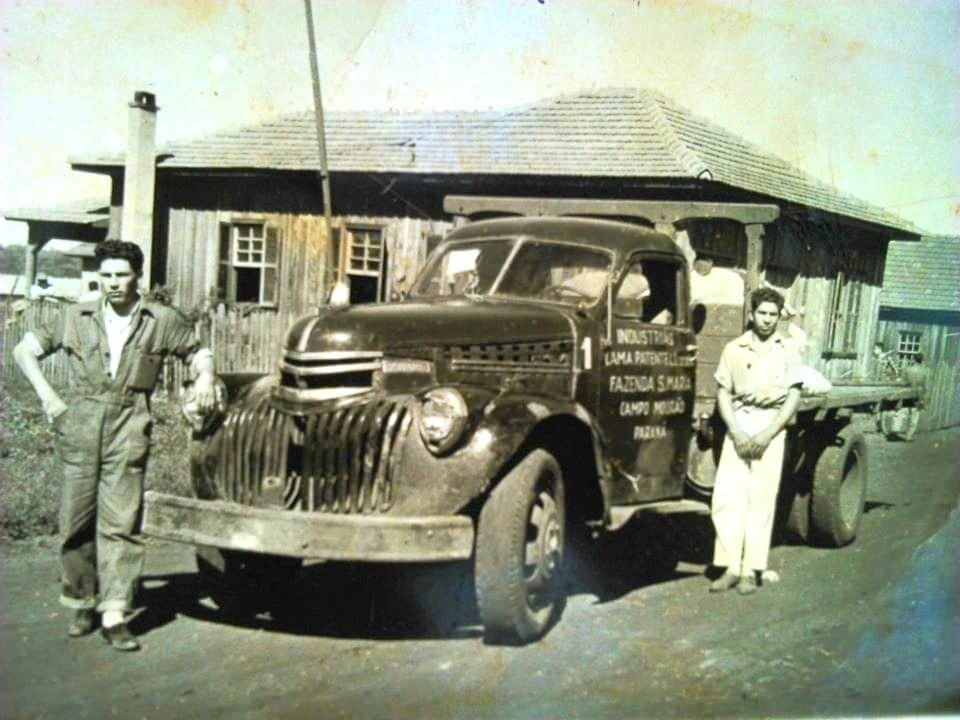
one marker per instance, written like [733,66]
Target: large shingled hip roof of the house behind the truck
[612,132]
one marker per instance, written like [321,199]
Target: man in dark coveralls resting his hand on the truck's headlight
[116,347]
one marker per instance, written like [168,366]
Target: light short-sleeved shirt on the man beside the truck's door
[758,373]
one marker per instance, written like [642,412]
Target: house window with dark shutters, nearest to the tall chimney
[249,263]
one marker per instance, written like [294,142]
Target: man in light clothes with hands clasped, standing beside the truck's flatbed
[758,392]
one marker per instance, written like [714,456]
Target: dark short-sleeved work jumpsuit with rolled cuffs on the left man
[103,440]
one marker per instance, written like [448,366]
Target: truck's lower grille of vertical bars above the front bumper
[339,461]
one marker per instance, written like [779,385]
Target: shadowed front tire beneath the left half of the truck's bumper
[242,583]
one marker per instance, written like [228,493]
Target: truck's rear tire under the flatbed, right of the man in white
[839,489]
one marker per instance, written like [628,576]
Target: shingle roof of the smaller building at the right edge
[923,275]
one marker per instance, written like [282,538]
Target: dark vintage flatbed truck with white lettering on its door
[541,376]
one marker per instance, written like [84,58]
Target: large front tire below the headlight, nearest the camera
[519,555]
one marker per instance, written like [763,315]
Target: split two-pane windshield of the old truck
[534,269]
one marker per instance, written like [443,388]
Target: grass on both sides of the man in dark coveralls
[30,474]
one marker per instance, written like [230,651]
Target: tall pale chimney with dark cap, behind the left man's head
[139,177]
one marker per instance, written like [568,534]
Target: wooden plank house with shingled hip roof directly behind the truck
[238,214]
